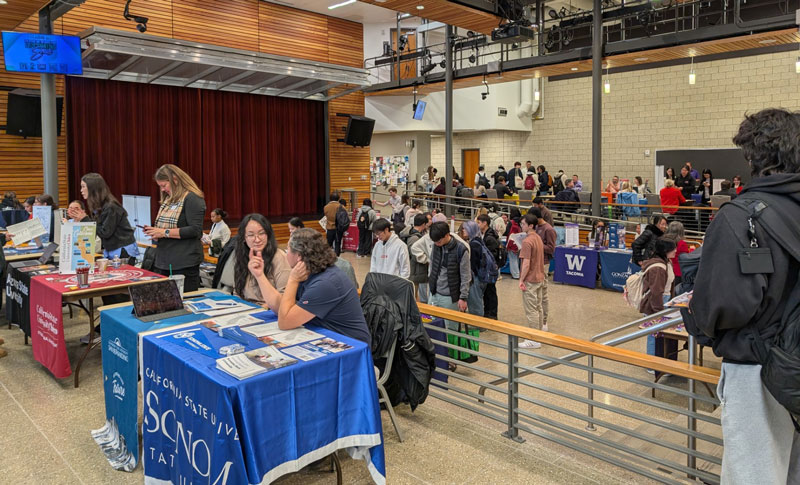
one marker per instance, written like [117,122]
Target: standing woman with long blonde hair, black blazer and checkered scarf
[178,226]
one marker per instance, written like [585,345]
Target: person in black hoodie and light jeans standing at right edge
[747,301]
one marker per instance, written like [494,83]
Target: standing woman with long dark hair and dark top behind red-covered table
[113,227]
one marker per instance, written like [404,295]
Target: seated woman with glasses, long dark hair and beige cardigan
[256,241]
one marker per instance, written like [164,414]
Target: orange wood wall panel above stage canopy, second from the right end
[292,32]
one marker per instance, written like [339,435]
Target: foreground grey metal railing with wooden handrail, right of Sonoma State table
[599,407]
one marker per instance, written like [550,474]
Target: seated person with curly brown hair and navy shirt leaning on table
[318,292]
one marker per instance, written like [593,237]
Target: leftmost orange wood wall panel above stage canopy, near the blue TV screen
[108,13]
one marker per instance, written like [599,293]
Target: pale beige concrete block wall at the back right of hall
[646,110]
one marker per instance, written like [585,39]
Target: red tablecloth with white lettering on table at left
[47,325]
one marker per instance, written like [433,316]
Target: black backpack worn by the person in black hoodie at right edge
[779,357]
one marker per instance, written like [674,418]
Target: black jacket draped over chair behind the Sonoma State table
[392,314]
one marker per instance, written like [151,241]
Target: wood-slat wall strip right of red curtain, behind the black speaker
[347,164]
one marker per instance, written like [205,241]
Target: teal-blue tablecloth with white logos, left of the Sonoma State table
[120,330]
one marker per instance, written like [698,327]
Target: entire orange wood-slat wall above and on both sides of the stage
[242,24]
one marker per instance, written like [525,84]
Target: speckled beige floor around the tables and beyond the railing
[45,423]
